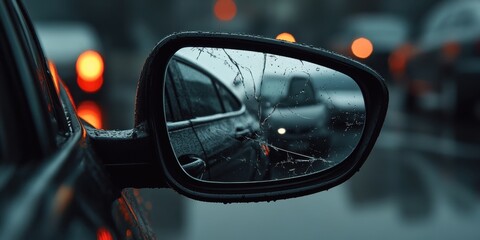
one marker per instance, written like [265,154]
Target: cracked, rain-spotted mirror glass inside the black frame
[243,116]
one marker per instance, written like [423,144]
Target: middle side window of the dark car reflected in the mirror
[201,92]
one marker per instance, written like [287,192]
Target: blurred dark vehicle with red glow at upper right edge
[444,69]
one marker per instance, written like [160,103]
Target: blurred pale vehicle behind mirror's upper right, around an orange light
[384,32]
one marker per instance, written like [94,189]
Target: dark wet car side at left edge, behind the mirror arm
[52,187]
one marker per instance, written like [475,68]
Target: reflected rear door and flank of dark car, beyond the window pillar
[222,125]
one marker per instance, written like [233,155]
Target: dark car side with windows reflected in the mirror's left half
[210,123]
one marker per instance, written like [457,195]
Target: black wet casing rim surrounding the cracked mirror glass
[150,110]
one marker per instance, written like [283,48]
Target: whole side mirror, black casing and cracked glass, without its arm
[242,118]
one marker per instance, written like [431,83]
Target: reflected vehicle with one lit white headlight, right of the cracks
[295,120]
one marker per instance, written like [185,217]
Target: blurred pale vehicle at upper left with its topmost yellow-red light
[75,50]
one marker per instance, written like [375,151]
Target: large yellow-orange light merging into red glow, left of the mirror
[90,68]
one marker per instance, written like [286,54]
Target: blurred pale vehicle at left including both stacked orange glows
[75,53]
